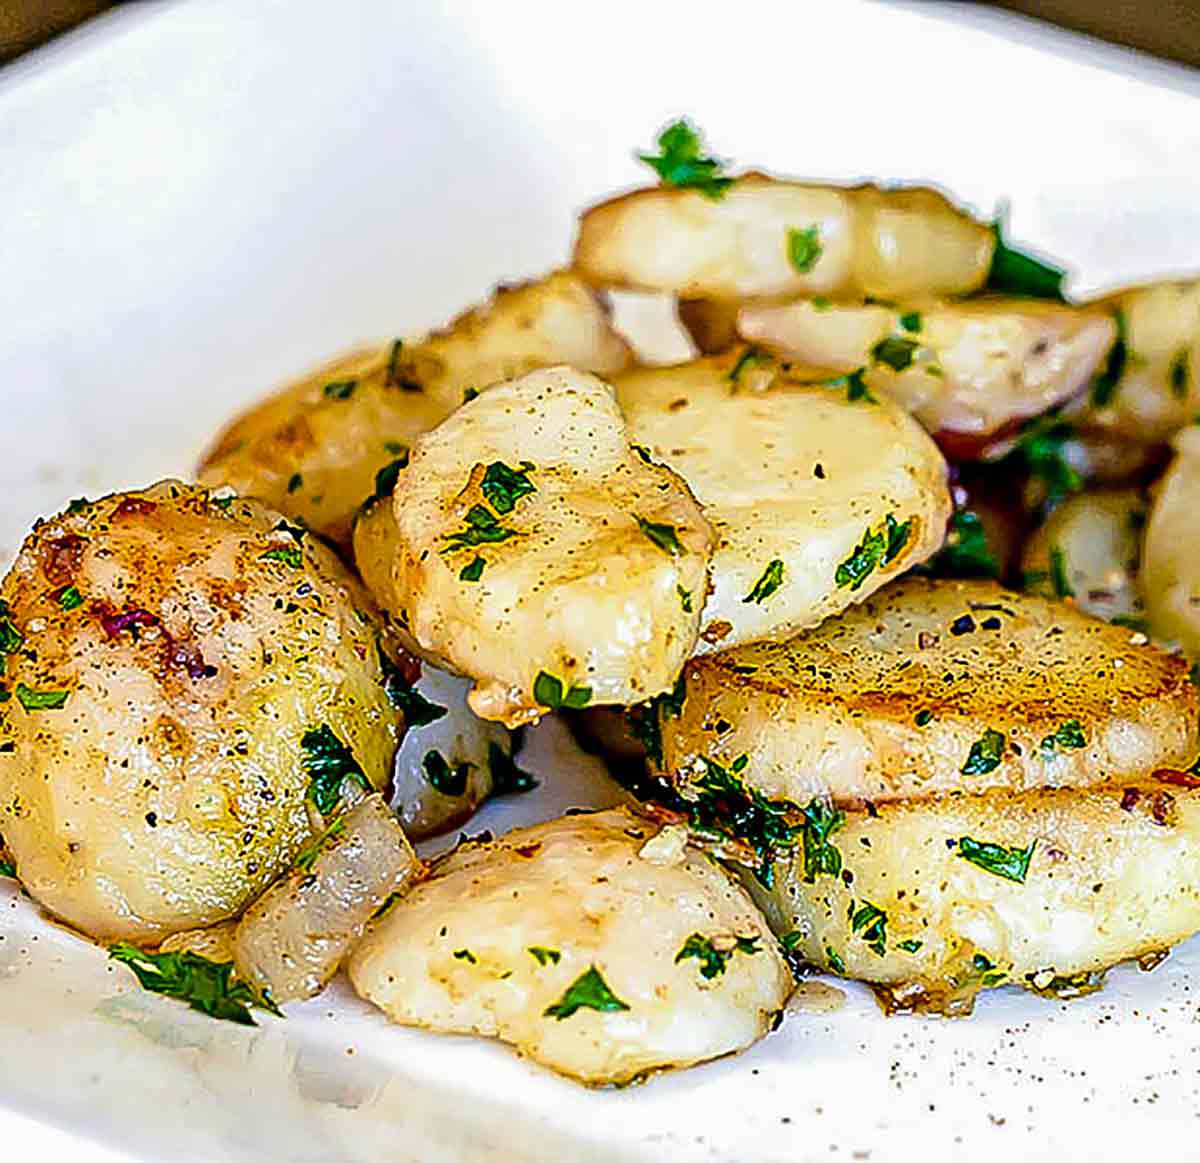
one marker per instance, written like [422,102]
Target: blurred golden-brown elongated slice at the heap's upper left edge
[314,449]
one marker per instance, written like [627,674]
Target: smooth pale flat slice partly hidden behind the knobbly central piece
[818,499]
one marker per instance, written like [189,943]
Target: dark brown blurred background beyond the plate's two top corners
[1165,28]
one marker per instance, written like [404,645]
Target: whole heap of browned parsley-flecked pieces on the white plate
[881,607]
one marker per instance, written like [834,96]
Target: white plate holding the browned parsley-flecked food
[201,201]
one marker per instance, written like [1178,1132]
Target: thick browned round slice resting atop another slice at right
[933,687]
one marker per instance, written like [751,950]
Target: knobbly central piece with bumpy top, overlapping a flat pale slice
[539,555]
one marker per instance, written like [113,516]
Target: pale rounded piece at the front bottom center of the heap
[597,945]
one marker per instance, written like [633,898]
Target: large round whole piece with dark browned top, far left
[189,675]
